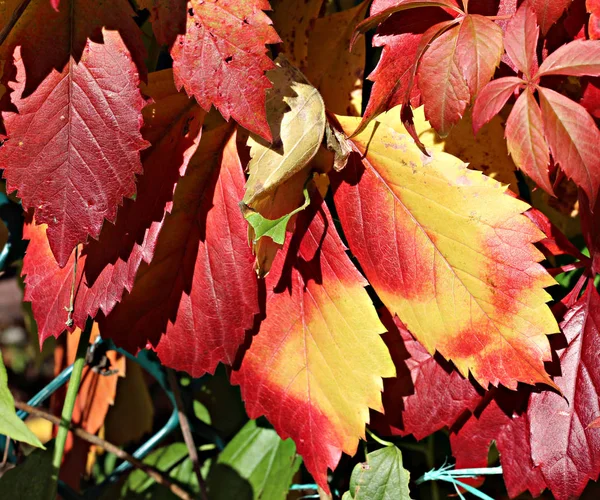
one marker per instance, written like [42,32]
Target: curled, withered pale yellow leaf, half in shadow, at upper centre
[296,115]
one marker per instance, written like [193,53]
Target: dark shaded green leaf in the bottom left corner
[32,479]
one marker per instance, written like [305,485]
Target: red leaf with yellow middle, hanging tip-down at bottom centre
[315,366]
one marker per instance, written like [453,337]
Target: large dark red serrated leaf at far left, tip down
[73,147]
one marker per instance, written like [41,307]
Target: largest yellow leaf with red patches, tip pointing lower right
[448,236]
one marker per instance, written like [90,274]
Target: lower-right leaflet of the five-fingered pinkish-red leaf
[573,138]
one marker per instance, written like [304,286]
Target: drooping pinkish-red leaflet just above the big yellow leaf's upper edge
[443,87]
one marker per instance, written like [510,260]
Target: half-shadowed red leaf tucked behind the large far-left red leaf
[108,266]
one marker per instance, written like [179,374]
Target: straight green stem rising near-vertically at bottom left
[69,404]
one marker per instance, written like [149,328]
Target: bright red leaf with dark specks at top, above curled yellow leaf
[222,59]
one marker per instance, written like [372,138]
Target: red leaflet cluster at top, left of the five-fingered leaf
[454,58]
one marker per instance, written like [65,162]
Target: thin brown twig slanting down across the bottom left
[155,474]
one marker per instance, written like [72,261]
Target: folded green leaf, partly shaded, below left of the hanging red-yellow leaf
[255,464]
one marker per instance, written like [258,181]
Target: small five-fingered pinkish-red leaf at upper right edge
[557,122]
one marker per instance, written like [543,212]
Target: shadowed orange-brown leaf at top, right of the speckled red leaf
[338,79]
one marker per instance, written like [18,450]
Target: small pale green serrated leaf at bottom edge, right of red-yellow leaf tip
[381,477]
